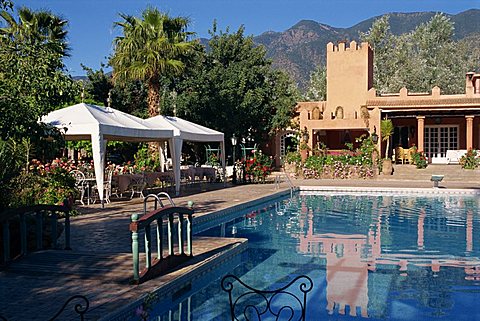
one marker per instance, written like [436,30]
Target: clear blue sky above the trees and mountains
[91,29]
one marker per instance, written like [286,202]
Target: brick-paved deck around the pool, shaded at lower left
[32,291]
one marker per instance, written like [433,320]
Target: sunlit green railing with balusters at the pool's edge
[170,214]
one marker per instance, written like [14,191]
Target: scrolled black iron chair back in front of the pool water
[286,303]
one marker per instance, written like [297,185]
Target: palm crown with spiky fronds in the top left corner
[37,29]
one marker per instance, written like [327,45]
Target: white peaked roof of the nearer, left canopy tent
[83,120]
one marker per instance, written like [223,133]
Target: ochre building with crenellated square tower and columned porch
[442,126]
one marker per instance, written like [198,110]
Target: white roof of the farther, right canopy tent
[185,129]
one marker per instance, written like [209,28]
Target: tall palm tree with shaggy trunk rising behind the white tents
[151,48]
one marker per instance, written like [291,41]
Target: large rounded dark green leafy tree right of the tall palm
[235,90]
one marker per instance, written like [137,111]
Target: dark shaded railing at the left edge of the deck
[31,220]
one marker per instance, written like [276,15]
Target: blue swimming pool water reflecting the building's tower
[375,257]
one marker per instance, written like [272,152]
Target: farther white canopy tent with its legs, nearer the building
[186,130]
